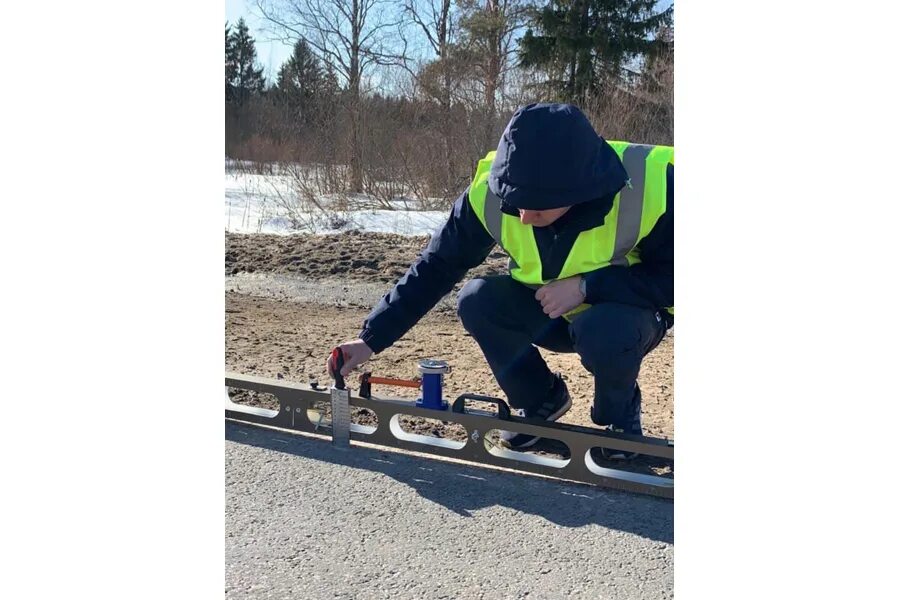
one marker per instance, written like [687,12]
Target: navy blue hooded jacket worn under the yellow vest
[548,153]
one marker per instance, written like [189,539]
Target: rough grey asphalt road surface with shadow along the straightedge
[306,520]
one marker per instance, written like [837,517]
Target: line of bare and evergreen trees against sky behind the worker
[409,94]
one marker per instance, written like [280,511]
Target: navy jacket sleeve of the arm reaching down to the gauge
[459,245]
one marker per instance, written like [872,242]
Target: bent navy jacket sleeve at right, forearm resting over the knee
[650,283]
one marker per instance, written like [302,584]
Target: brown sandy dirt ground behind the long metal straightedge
[275,336]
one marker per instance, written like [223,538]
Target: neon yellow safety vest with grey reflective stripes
[635,211]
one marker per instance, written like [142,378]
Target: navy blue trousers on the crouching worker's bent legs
[611,339]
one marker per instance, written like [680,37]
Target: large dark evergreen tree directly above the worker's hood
[584,45]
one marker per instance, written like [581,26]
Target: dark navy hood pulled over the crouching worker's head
[550,156]
